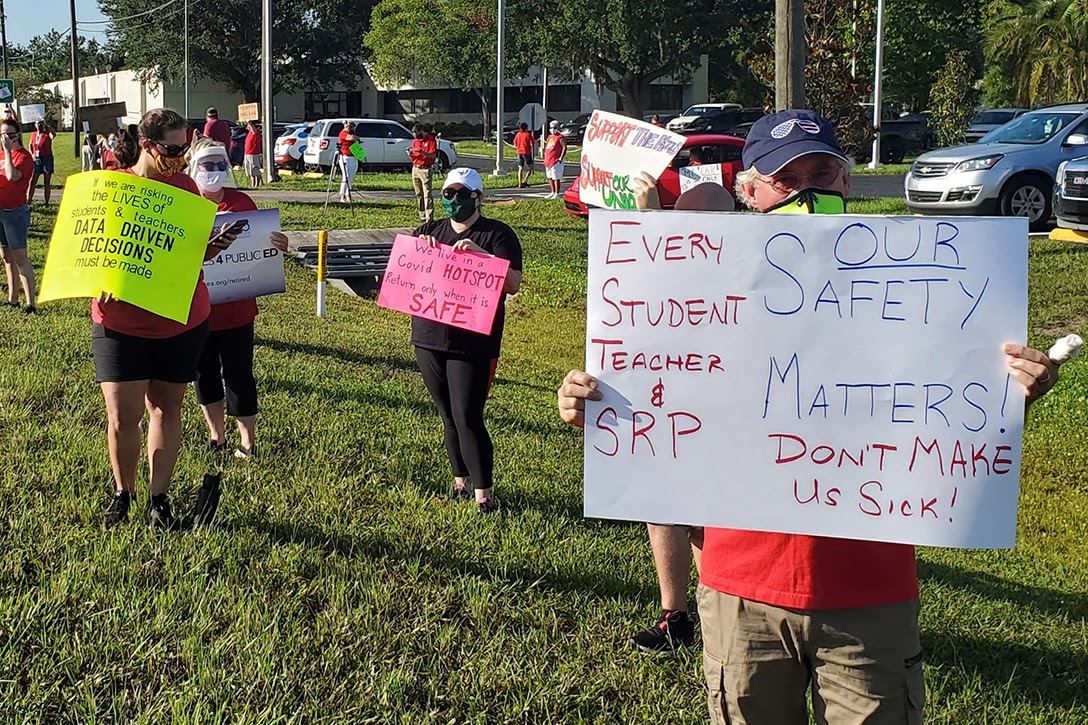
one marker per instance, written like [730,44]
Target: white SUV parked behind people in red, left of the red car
[387,144]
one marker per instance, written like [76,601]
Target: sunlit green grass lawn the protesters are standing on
[340,587]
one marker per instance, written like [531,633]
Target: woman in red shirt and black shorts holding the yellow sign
[143,360]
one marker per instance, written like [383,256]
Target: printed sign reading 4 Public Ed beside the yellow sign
[251,267]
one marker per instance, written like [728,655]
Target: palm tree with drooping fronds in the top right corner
[1041,48]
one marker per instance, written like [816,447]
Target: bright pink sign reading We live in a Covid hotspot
[461,289]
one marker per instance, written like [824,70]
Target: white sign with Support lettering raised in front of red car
[615,151]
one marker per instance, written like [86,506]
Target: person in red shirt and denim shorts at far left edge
[16,215]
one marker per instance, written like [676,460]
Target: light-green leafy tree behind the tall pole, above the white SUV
[450,43]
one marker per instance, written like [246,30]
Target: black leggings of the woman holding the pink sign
[460,390]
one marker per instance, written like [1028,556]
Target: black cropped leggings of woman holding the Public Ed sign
[229,359]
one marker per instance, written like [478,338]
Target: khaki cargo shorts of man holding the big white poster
[864,665]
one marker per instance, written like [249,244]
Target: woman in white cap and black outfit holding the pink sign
[459,365]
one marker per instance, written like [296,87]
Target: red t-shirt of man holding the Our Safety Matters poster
[808,573]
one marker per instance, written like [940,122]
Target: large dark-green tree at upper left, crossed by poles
[316,44]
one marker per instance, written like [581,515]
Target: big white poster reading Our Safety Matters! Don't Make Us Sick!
[826,375]
